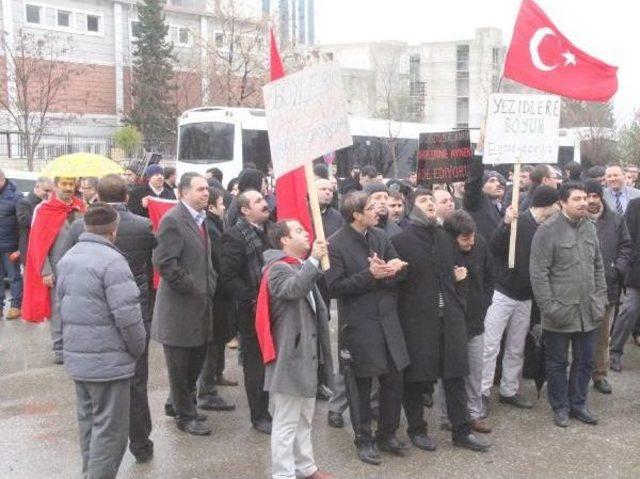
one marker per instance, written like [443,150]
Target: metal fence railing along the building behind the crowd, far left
[13,145]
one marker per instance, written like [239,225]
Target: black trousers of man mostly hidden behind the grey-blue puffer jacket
[140,416]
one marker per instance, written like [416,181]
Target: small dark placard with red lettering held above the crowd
[444,157]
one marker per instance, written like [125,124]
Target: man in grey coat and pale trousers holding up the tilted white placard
[300,331]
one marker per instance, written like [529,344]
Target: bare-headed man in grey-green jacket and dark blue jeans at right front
[568,282]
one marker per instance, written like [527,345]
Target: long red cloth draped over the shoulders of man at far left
[47,222]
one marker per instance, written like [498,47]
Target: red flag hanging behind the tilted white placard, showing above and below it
[291,189]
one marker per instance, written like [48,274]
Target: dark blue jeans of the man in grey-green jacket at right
[569,393]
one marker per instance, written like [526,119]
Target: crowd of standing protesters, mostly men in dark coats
[429,311]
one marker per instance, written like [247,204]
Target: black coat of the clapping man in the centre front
[367,308]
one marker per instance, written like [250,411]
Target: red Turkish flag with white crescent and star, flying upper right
[541,57]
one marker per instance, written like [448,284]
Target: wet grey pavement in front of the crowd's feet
[38,430]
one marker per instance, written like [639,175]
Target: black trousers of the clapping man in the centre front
[390,405]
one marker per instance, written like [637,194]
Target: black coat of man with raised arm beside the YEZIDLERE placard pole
[477,204]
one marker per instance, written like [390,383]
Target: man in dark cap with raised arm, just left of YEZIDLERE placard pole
[483,192]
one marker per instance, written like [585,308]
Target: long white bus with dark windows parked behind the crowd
[229,138]
